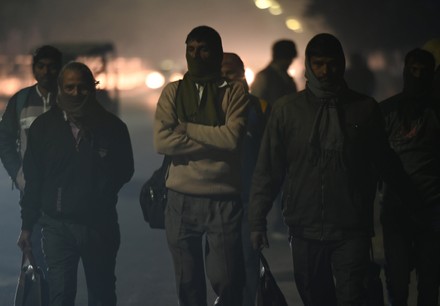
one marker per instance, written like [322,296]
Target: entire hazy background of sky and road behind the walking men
[149,33]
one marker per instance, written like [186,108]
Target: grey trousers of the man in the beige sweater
[187,220]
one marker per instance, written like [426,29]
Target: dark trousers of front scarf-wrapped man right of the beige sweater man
[330,273]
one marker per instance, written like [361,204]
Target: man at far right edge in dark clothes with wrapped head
[412,121]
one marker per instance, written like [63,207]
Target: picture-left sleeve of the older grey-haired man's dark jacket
[33,173]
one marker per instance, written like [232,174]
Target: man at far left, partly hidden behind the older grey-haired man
[21,111]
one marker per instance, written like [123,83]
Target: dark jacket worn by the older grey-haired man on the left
[80,183]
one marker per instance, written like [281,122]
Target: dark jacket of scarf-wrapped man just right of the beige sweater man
[322,203]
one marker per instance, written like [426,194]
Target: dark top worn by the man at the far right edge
[416,140]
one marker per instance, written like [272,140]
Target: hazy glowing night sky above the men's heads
[154,31]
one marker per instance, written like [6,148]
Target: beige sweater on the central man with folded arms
[206,160]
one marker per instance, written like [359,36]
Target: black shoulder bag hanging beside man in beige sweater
[153,196]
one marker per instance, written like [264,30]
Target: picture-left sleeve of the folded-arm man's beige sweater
[166,141]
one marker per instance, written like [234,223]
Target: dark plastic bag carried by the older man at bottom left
[32,288]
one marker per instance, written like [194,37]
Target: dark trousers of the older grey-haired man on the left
[64,245]
